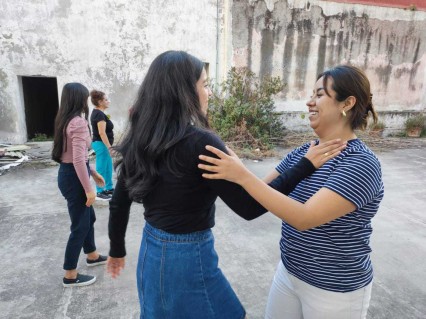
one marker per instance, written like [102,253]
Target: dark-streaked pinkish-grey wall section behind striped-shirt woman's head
[296,39]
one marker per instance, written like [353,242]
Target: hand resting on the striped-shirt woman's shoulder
[321,153]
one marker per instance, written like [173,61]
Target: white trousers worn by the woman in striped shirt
[292,298]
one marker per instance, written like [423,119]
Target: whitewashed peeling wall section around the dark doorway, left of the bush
[104,44]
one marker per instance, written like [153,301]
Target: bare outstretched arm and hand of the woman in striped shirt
[321,208]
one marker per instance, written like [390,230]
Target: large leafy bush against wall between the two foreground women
[242,110]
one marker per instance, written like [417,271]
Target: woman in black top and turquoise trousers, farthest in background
[103,138]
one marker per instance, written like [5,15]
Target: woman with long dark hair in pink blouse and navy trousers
[70,149]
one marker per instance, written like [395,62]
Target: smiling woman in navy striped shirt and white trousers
[325,269]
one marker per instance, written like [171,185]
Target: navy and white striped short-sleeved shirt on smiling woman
[335,256]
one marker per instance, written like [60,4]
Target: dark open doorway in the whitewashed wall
[41,105]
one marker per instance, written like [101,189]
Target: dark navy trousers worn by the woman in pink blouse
[82,217]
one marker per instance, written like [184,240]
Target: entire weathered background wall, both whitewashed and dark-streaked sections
[108,45]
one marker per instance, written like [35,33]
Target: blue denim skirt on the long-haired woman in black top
[179,278]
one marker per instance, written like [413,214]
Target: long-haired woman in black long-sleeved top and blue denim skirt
[177,273]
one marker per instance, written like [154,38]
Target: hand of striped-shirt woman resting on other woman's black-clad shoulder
[227,167]
